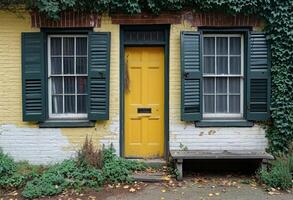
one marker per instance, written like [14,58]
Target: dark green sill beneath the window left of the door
[66,124]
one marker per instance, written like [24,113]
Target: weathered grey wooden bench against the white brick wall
[179,155]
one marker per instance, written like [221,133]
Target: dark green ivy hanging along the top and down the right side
[278,15]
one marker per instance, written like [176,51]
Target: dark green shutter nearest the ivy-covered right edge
[258,77]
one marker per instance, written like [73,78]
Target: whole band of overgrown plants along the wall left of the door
[91,169]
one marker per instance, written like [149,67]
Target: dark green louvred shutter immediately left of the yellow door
[98,76]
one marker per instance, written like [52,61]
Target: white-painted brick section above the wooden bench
[250,138]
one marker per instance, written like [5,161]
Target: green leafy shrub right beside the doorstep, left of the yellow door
[117,169]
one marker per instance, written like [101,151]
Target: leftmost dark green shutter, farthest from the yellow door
[33,91]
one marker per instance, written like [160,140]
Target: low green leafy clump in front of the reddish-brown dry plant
[59,177]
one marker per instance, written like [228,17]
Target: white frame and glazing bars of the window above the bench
[241,76]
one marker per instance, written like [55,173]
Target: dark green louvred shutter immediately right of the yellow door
[191,77]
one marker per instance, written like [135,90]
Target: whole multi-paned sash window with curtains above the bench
[223,76]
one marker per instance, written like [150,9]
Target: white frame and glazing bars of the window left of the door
[64,115]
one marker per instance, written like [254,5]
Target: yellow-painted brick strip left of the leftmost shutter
[11,26]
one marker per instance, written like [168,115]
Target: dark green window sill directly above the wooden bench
[223,123]
